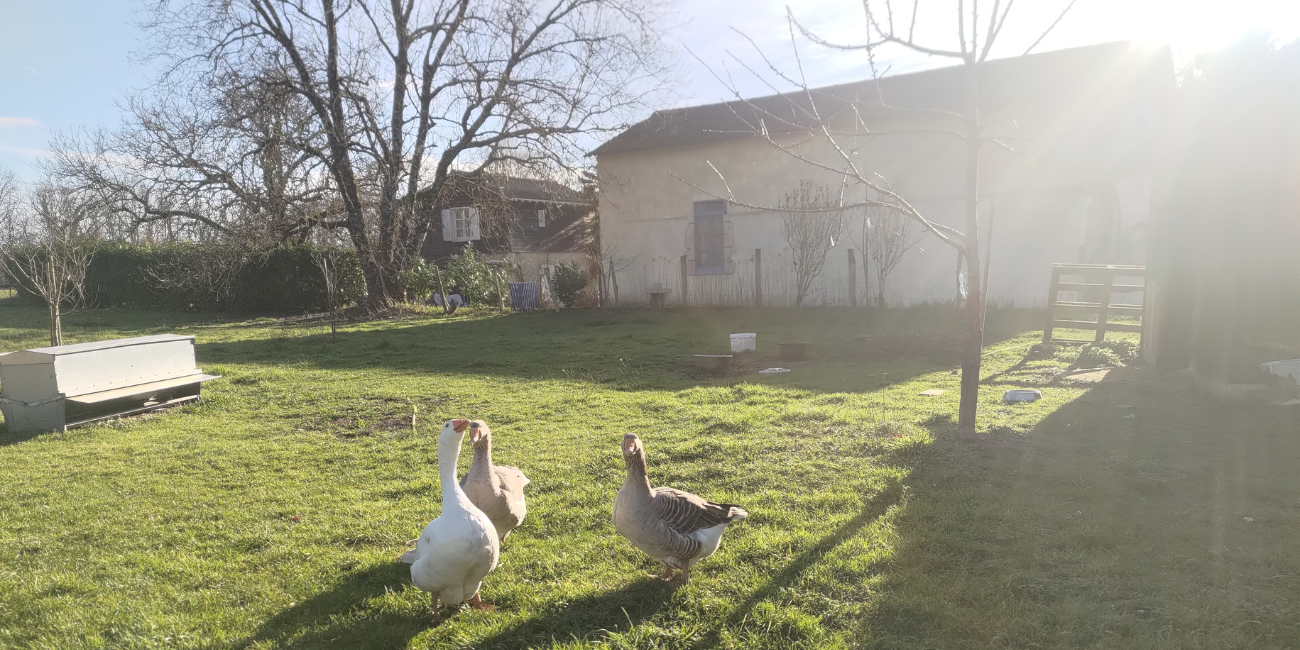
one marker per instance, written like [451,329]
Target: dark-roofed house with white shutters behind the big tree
[531,224]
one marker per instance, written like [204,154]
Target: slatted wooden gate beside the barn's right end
[1095,288]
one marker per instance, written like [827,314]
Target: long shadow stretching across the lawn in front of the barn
[632,350]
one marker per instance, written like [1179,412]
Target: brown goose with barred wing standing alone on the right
[671,526]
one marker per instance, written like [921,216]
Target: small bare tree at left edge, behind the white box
[49,254]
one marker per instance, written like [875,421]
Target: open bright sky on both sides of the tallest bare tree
[67,64]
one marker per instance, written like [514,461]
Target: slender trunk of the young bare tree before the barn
[974,339]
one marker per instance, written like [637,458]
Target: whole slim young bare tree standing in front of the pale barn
[842,125]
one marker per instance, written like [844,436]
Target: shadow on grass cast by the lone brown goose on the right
[587,618]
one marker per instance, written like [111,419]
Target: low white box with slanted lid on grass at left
[57,388]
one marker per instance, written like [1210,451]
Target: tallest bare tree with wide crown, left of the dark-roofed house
[402,93]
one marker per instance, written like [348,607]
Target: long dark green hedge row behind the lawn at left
[184,278]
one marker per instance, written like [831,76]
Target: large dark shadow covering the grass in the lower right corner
[1061,536]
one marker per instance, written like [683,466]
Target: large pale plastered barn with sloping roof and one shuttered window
[691,198]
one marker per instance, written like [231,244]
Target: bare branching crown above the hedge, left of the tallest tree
[216,158]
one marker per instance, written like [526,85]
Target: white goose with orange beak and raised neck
[457,551]
